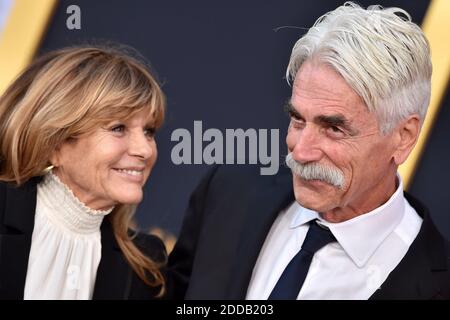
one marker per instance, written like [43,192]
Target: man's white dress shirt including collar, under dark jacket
[368,248]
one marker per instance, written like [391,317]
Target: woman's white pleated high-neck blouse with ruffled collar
[65,246]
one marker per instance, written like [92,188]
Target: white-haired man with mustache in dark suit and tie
[339,226]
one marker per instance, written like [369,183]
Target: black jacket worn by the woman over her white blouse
[115,278]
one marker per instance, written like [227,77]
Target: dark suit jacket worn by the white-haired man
[227,221]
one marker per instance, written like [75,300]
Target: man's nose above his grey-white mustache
[307,145]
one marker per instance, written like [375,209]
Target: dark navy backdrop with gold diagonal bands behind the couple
[223,63]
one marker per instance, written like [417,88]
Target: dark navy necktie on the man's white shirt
[292,278]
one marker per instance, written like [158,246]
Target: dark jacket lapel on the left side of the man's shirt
[267,201]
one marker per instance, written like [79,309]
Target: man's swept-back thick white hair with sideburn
[381,54]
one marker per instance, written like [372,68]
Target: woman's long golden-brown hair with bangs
[68,93]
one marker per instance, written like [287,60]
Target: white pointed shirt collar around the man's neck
[362,235]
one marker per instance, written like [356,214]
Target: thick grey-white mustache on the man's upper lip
[316,171]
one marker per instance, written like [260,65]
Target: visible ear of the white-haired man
[407,133]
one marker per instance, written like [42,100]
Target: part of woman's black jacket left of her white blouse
[15,244]
